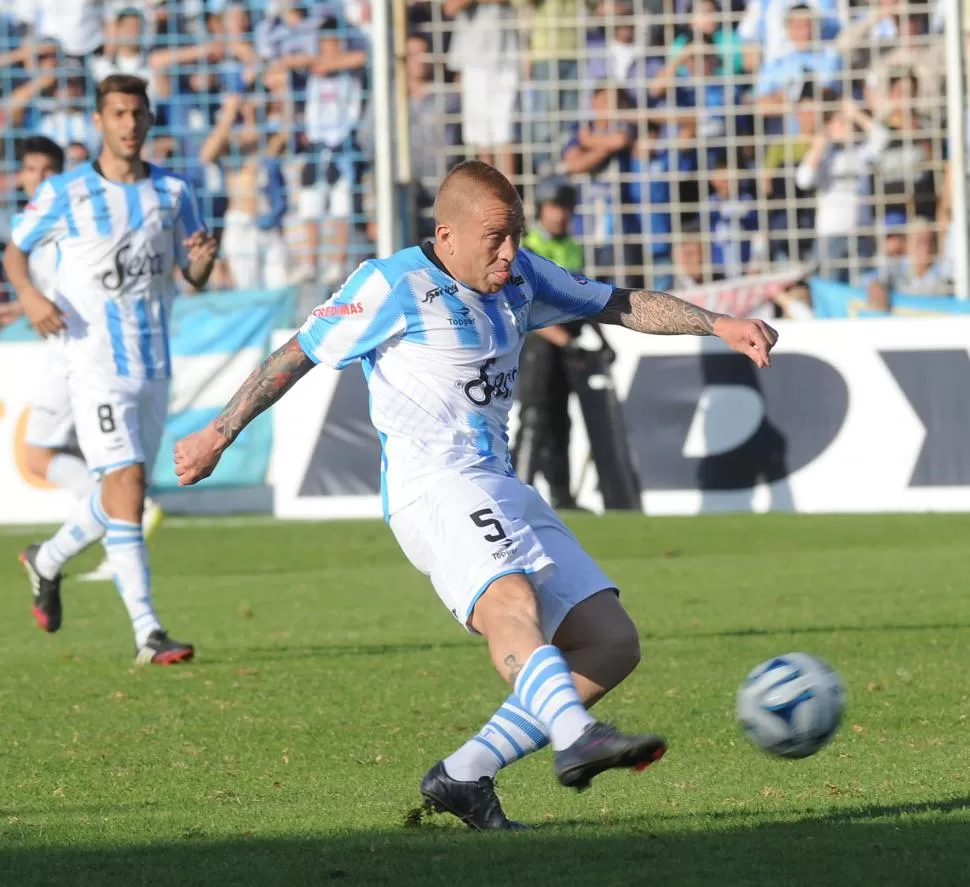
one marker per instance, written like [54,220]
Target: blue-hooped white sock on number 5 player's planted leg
[511,734]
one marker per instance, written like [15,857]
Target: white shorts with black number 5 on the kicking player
[471,528]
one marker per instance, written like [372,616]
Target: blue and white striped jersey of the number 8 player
[115,246]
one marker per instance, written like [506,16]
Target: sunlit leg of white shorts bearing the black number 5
[472,532]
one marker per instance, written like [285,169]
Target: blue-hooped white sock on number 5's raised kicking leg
[546,689]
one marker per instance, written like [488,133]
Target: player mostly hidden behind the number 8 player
[50,446]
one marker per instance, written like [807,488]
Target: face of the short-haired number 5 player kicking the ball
[486,242]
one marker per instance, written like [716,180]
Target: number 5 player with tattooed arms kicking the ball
[438,329]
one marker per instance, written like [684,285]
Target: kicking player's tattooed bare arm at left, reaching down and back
[197,455]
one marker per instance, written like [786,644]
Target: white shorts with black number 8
[121,424]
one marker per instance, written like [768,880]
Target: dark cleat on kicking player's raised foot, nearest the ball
[603,747]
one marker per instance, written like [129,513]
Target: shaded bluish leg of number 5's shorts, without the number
[577,576]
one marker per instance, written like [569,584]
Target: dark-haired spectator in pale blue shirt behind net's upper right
[808,60]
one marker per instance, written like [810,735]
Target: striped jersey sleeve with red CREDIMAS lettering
[358,319]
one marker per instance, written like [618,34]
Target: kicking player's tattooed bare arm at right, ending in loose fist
[659,313]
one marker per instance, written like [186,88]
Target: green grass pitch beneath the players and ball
[329,678]
